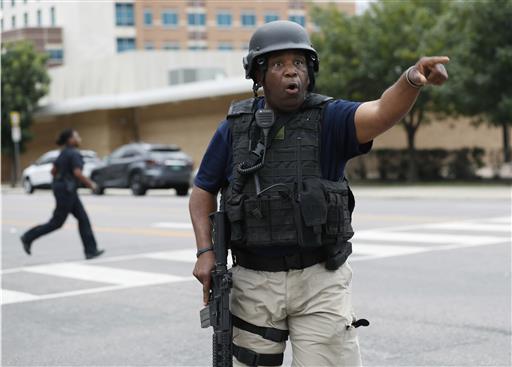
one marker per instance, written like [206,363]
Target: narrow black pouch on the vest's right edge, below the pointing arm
[338,223]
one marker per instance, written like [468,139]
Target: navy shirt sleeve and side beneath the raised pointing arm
[339,140]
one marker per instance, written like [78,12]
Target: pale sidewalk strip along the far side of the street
[456,191]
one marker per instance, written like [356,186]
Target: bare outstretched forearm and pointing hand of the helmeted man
[374,117]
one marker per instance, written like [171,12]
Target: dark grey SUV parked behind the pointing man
[143,166]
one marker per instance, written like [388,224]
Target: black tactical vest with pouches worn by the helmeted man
[296,207]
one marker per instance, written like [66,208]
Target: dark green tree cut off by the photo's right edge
[481,43]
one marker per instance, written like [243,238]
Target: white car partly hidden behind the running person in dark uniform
[38,174]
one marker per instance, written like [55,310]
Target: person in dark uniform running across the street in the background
[67,173]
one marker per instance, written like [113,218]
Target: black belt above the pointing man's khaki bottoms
[299,260]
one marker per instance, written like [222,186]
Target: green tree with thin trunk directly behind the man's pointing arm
[363,55]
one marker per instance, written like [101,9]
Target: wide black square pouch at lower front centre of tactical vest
[269,221]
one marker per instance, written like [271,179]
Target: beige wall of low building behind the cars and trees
[191,125]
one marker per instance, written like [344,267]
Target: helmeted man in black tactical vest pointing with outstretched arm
[279,161]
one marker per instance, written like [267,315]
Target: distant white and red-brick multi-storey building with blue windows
[75,31]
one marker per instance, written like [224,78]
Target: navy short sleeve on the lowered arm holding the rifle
[216,165]
